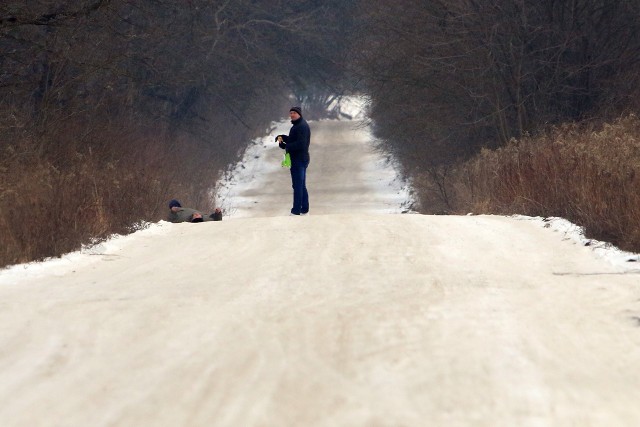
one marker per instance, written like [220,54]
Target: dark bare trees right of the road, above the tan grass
[449,77]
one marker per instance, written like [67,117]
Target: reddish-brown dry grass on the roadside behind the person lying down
[69,186]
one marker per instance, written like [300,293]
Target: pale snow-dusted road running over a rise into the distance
[347,317]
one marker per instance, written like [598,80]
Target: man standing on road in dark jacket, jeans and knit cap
[297,145]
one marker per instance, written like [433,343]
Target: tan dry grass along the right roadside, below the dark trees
[588,175]
